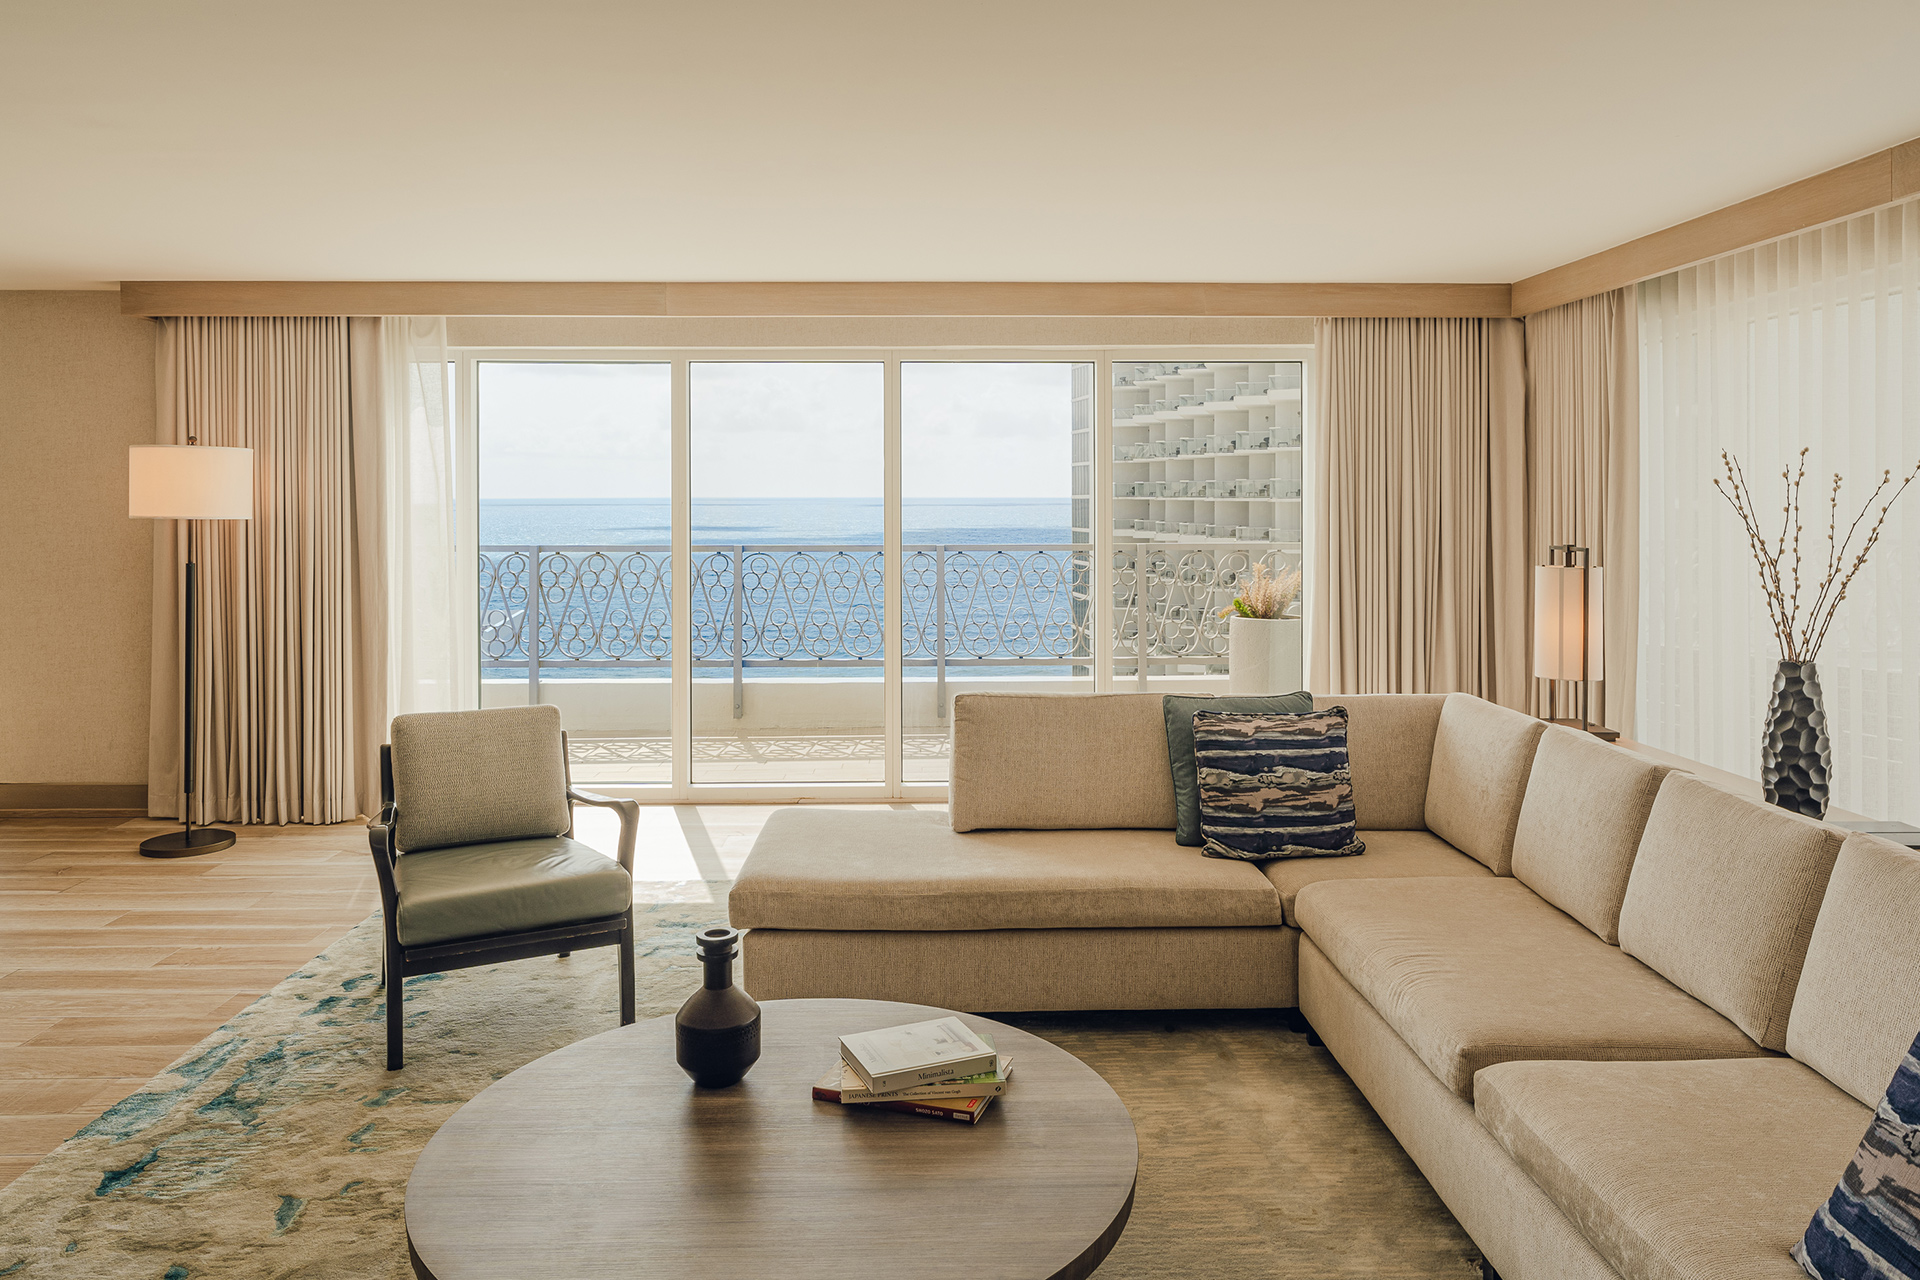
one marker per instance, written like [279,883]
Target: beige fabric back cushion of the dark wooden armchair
[471,778]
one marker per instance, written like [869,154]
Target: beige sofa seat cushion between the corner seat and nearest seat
[1479,972]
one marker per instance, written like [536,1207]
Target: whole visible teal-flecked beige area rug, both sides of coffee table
[279,1147]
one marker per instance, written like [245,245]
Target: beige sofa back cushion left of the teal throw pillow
[1061,763]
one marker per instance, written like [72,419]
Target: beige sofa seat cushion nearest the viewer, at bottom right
[1679,1172]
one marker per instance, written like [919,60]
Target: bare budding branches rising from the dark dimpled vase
[1779,561]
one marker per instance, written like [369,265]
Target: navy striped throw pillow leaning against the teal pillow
[1276,786]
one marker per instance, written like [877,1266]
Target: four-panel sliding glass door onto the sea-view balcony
[754,575]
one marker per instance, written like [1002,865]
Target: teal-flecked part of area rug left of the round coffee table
[281,1145]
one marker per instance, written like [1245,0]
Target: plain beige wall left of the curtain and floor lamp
[76,573]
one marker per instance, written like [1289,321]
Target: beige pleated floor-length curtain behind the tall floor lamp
[281,724]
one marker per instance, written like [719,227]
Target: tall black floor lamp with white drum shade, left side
[189,483]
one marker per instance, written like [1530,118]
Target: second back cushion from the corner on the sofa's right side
[1587,805]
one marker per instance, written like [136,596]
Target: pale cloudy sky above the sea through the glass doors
[775,431]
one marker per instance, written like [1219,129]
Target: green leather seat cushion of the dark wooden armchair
[510,888]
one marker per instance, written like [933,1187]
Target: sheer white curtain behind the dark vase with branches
[1808,343]
